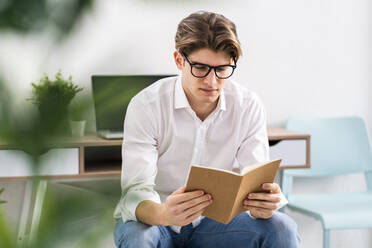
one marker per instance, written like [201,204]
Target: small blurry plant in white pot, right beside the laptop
[76,119]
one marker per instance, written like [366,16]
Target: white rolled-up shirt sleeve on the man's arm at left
[139,159]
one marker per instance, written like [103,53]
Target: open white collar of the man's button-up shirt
[180,99]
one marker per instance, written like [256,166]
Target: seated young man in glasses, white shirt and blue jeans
[200,117]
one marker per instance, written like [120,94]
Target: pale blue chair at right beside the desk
[339,146]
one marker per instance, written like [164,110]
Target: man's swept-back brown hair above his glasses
[207,30]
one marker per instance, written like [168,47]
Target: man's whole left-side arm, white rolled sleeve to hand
[140,201]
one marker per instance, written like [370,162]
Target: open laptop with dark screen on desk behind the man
[111,95]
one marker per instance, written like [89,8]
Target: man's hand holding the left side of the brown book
[182,208]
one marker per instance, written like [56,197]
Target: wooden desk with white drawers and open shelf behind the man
[92,156]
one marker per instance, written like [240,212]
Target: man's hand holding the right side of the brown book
[263,205]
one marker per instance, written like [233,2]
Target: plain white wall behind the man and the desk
[303,57]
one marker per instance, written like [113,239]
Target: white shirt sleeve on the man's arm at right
[255,146]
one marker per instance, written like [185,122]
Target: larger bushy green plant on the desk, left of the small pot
[53,97]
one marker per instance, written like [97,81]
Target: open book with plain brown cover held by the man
[229,189]
